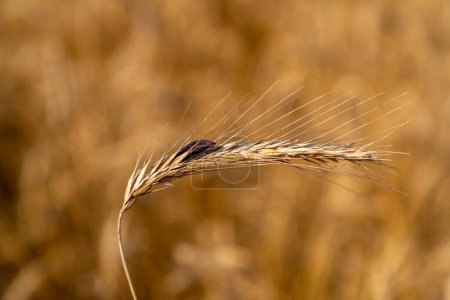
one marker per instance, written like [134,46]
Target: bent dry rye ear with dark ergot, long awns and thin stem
[204,155]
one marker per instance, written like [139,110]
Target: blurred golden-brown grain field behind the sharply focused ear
[86,85]
